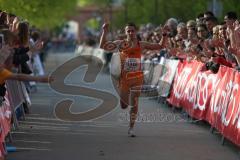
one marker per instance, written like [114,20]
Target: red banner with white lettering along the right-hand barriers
[211,97]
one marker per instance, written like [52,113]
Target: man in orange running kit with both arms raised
[130,50]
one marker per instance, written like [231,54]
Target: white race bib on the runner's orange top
[132,64]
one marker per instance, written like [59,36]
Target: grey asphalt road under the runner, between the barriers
[161,133]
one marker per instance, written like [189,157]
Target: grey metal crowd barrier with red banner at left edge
[15,98]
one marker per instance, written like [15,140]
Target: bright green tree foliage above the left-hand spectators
[41,13]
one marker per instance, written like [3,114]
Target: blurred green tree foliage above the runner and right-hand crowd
[158,11]
